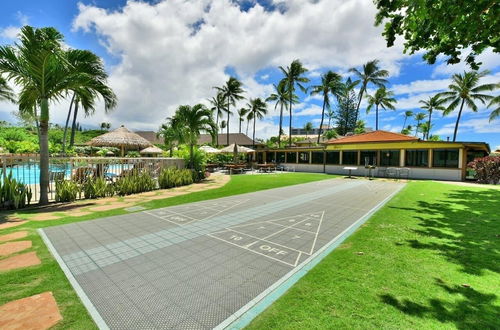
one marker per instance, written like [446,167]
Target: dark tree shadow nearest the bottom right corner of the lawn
[470,309]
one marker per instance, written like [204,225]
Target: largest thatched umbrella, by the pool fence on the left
[121,138]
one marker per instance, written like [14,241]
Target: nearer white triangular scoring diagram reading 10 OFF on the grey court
[274,239]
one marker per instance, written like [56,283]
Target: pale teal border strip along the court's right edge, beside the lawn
[252,309]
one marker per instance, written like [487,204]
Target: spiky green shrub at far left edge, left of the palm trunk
[13,194]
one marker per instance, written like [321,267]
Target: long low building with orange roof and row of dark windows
[388,154]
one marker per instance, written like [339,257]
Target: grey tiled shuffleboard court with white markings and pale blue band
[199,265]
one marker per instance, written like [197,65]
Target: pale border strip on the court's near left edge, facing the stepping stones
[99,321]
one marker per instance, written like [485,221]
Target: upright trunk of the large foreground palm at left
[44,152]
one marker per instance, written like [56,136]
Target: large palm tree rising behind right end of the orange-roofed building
[465,89]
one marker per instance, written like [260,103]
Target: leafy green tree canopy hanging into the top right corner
[447,27]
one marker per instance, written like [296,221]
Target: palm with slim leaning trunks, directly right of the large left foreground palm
[89,63]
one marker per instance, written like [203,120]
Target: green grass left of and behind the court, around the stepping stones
[49,277]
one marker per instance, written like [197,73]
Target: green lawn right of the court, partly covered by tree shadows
[431,260]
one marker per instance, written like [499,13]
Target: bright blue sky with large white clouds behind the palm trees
[162,54]
